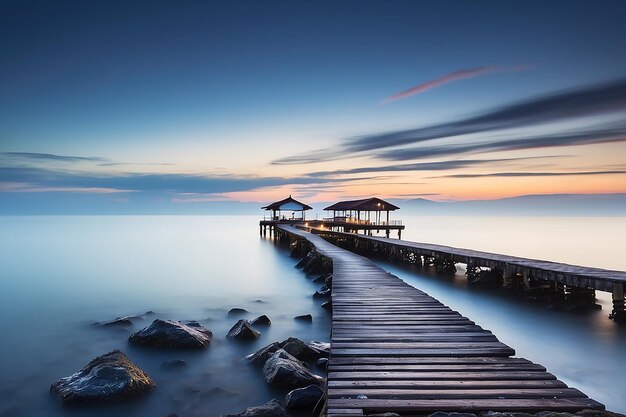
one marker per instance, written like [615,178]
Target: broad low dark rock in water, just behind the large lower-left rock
[172,334]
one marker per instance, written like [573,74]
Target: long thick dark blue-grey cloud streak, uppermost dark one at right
[608,98]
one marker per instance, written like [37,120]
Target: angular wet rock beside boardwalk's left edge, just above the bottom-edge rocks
[283,370]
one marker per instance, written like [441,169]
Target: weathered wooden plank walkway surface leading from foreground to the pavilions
[395,348]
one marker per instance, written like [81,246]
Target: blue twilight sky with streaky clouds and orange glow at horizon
[189,103]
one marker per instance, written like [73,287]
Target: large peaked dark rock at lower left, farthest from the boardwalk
[110,377]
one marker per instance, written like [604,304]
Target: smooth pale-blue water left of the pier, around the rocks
[60,274]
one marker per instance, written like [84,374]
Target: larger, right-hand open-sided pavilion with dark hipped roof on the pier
[360,211]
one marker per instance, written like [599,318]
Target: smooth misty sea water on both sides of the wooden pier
[59,274]
